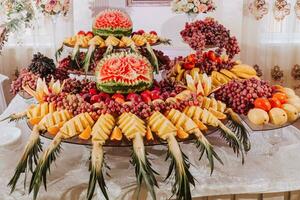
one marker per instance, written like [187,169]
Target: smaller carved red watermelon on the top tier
[112,22]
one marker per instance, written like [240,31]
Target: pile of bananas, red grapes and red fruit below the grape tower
[220,69]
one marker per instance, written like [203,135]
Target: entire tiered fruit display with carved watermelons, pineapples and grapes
[200,94]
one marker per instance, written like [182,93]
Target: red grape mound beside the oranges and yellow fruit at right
[240,95]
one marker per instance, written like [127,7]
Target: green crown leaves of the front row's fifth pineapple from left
[183,177]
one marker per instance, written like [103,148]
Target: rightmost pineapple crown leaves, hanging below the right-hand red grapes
[240,130]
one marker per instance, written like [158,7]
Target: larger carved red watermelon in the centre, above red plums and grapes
[124,72]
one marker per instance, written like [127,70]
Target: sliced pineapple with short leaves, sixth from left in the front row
[181,120]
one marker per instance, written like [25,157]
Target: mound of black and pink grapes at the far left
[40,67]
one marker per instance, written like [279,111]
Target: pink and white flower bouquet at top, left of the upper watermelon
[54,7]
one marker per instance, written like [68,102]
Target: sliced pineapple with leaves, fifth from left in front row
[179,161]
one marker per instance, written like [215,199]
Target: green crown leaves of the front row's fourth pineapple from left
[144,171]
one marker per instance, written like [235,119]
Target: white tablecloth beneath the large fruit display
[267,169]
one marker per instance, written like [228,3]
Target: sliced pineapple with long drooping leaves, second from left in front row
[72,127]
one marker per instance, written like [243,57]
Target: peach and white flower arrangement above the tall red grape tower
[193,6]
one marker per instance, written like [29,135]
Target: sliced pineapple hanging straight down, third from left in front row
[100,133]
